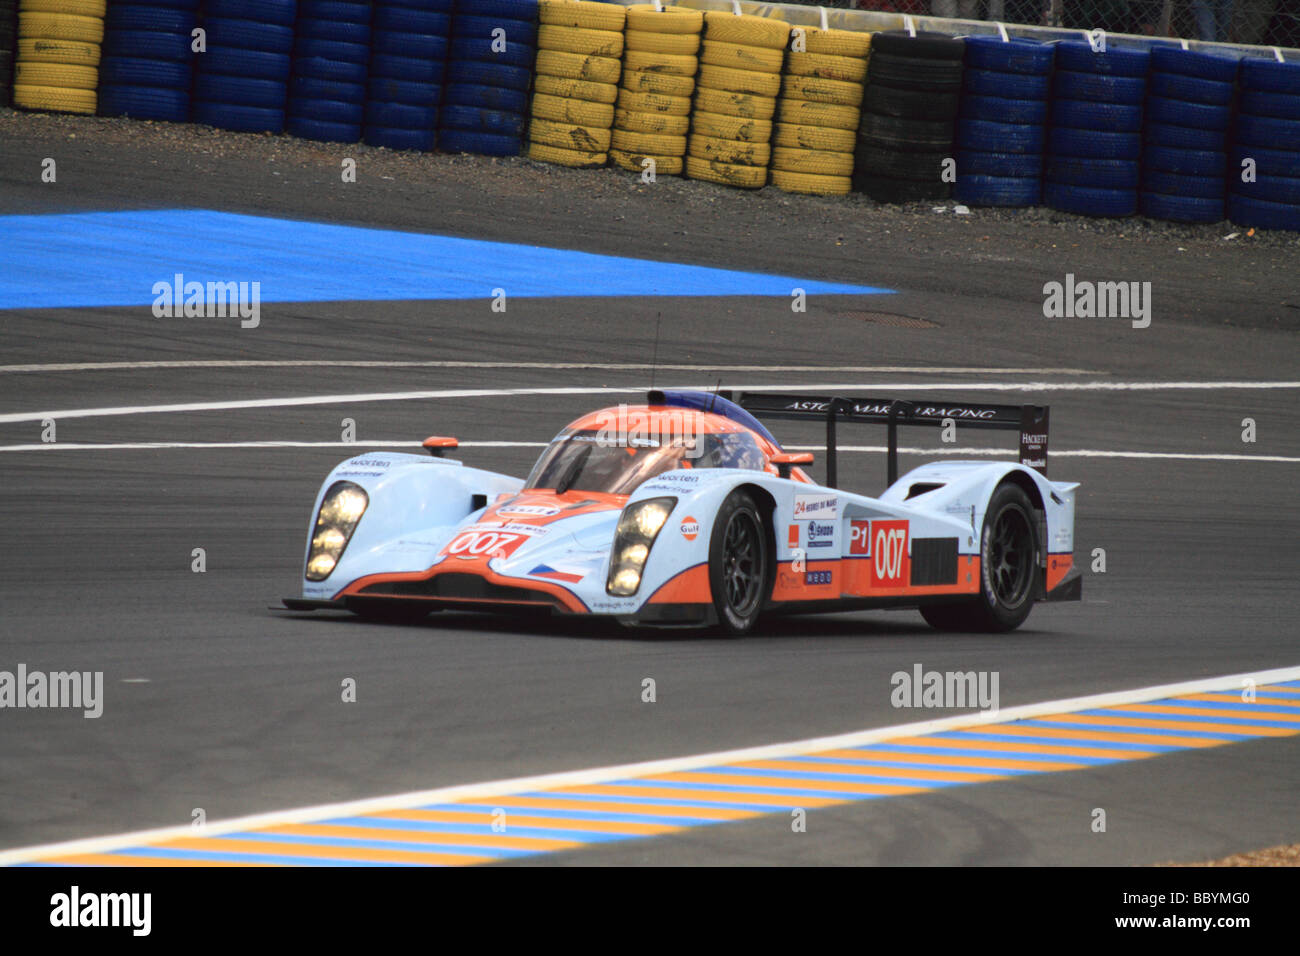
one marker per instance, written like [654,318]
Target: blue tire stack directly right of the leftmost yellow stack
[146,71]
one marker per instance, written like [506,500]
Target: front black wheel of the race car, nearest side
[740,568]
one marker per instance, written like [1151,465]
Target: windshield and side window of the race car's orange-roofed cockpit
[587,461]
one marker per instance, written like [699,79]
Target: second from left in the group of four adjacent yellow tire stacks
[660,66]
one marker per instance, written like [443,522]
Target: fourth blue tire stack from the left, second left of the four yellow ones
[409,53]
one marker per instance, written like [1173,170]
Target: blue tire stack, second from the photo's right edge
[1189,107]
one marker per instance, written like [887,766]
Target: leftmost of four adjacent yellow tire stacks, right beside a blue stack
[579,46]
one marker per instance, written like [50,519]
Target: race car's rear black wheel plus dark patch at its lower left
[1009,570]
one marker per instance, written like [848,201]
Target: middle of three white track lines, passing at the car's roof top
[861,388]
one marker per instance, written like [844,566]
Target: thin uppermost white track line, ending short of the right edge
[560,366]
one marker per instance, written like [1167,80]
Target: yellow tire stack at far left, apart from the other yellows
[57,67]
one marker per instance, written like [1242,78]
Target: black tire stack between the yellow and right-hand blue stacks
[913,94]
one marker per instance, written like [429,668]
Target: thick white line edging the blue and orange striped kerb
[580,778]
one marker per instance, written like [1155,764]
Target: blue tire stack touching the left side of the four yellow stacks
[486,106]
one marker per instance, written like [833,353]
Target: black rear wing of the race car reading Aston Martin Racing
[1030,421]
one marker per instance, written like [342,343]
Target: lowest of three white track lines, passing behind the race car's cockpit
[369,445]
